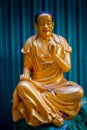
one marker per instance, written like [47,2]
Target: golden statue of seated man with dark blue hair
[46,96]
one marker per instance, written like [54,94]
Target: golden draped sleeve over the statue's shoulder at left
[28,44]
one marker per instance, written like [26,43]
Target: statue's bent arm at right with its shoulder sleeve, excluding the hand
[62,56]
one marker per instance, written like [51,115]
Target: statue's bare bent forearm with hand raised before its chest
[62,57]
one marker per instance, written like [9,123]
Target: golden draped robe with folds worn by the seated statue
[47,97]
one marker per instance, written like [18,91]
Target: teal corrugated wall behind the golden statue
[17,24]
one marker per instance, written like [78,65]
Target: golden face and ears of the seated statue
[44,25]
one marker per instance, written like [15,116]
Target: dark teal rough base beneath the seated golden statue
[78,123]
